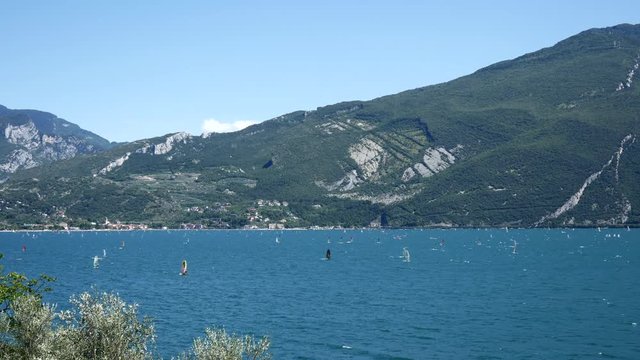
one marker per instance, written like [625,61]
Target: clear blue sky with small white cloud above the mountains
[129,70]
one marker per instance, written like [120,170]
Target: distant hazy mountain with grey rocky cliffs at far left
[31,138]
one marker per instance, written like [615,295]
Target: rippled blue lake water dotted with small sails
[563,294]
